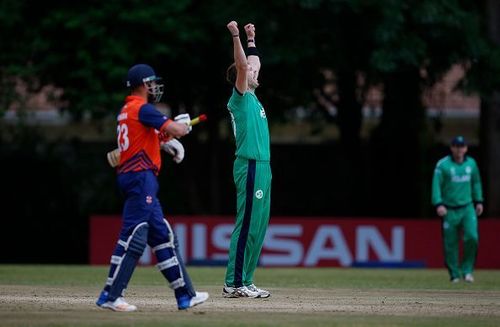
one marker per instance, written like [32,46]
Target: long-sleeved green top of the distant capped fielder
[456,184]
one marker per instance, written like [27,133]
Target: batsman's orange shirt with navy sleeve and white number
[138,126]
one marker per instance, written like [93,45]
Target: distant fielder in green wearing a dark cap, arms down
[457,195]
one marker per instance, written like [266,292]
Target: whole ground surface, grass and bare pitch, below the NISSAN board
[64,296]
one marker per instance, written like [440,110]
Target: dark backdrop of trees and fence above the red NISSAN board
[53,183]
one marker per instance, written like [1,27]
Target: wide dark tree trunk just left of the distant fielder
[397,150]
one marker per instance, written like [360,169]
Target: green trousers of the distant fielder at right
[455,222]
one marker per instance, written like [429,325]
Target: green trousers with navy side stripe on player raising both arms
[253,203]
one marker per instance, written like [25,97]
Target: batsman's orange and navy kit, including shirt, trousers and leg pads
[139,142]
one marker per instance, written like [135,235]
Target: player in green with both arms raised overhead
[251,171]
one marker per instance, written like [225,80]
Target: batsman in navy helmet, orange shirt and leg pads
[139,125]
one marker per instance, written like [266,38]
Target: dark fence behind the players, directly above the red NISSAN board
[49,190]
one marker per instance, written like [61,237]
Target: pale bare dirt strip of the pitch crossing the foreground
[18,299]
